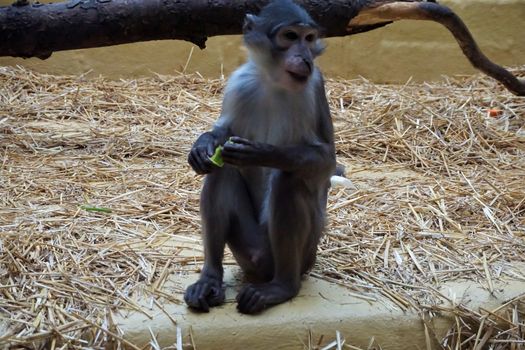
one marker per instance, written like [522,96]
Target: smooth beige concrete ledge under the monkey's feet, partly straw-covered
[317,313]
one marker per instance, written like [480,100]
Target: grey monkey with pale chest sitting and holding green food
[268,202]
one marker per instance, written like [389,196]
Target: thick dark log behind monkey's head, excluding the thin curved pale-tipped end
[39,30]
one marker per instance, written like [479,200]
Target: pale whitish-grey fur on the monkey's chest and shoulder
[258,110]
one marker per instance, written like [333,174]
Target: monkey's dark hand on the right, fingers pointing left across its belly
[243,152]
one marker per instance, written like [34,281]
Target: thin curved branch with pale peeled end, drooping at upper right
[388,11]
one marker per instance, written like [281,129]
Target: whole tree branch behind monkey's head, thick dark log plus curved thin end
[39,30]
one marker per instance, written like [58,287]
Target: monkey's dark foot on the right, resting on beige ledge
[257,297]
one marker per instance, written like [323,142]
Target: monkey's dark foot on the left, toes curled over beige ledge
[205,293]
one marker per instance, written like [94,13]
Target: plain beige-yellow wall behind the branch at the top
[392,54]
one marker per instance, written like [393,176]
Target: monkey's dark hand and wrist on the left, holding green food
[204,148]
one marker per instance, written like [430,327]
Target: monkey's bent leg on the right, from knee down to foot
[294,225]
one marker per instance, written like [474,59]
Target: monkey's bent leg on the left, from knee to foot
[228,217]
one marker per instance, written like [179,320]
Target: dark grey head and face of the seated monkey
[283,41]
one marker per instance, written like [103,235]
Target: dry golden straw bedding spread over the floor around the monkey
[99,206]
